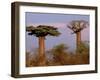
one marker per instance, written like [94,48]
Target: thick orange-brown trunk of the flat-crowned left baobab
[42,60]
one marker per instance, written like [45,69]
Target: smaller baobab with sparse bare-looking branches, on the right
[77,26]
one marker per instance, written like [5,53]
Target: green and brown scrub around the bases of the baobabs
[59,55]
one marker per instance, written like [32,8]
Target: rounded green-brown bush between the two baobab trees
[60,54]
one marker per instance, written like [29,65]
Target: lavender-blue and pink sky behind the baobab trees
[57,20]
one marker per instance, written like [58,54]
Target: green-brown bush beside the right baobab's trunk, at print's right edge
[83,53]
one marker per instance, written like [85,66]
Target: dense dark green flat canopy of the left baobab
[43,30]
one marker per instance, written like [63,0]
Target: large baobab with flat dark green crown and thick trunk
[41,32]
